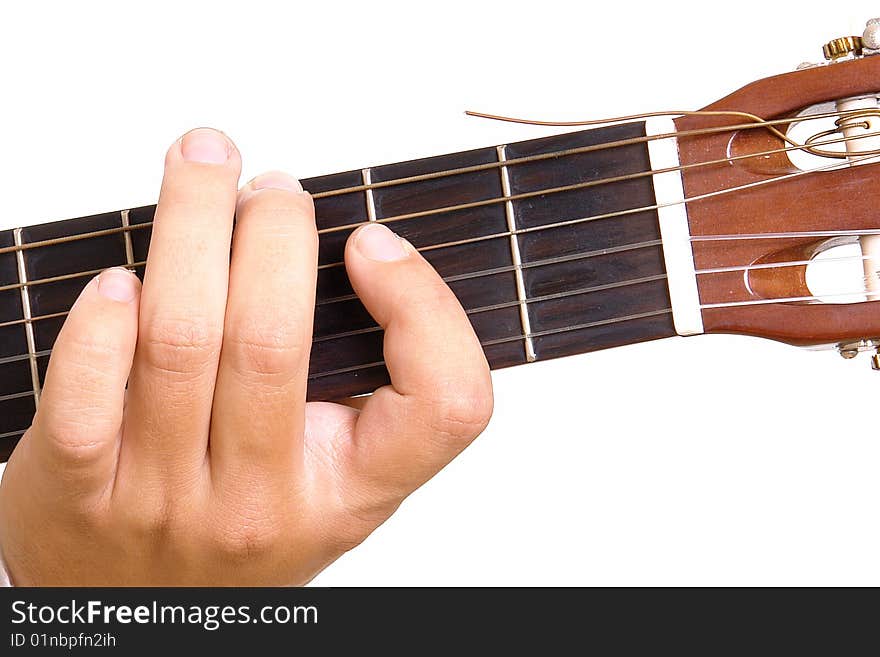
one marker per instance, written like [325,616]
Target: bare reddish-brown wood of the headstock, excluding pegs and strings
[843,199]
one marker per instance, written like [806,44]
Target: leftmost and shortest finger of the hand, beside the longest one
[77,425]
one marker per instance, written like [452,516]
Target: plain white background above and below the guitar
[707,460]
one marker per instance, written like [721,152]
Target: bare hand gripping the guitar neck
[173,444]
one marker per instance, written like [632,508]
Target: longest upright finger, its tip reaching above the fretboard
[182,308]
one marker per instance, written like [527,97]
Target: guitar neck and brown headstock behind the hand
[640,229]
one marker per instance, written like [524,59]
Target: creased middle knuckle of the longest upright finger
[181,346]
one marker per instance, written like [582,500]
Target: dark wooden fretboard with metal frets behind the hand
[543,272]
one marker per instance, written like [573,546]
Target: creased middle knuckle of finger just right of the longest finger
[268,347]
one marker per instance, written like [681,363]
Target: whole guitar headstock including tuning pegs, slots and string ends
[755,243]
